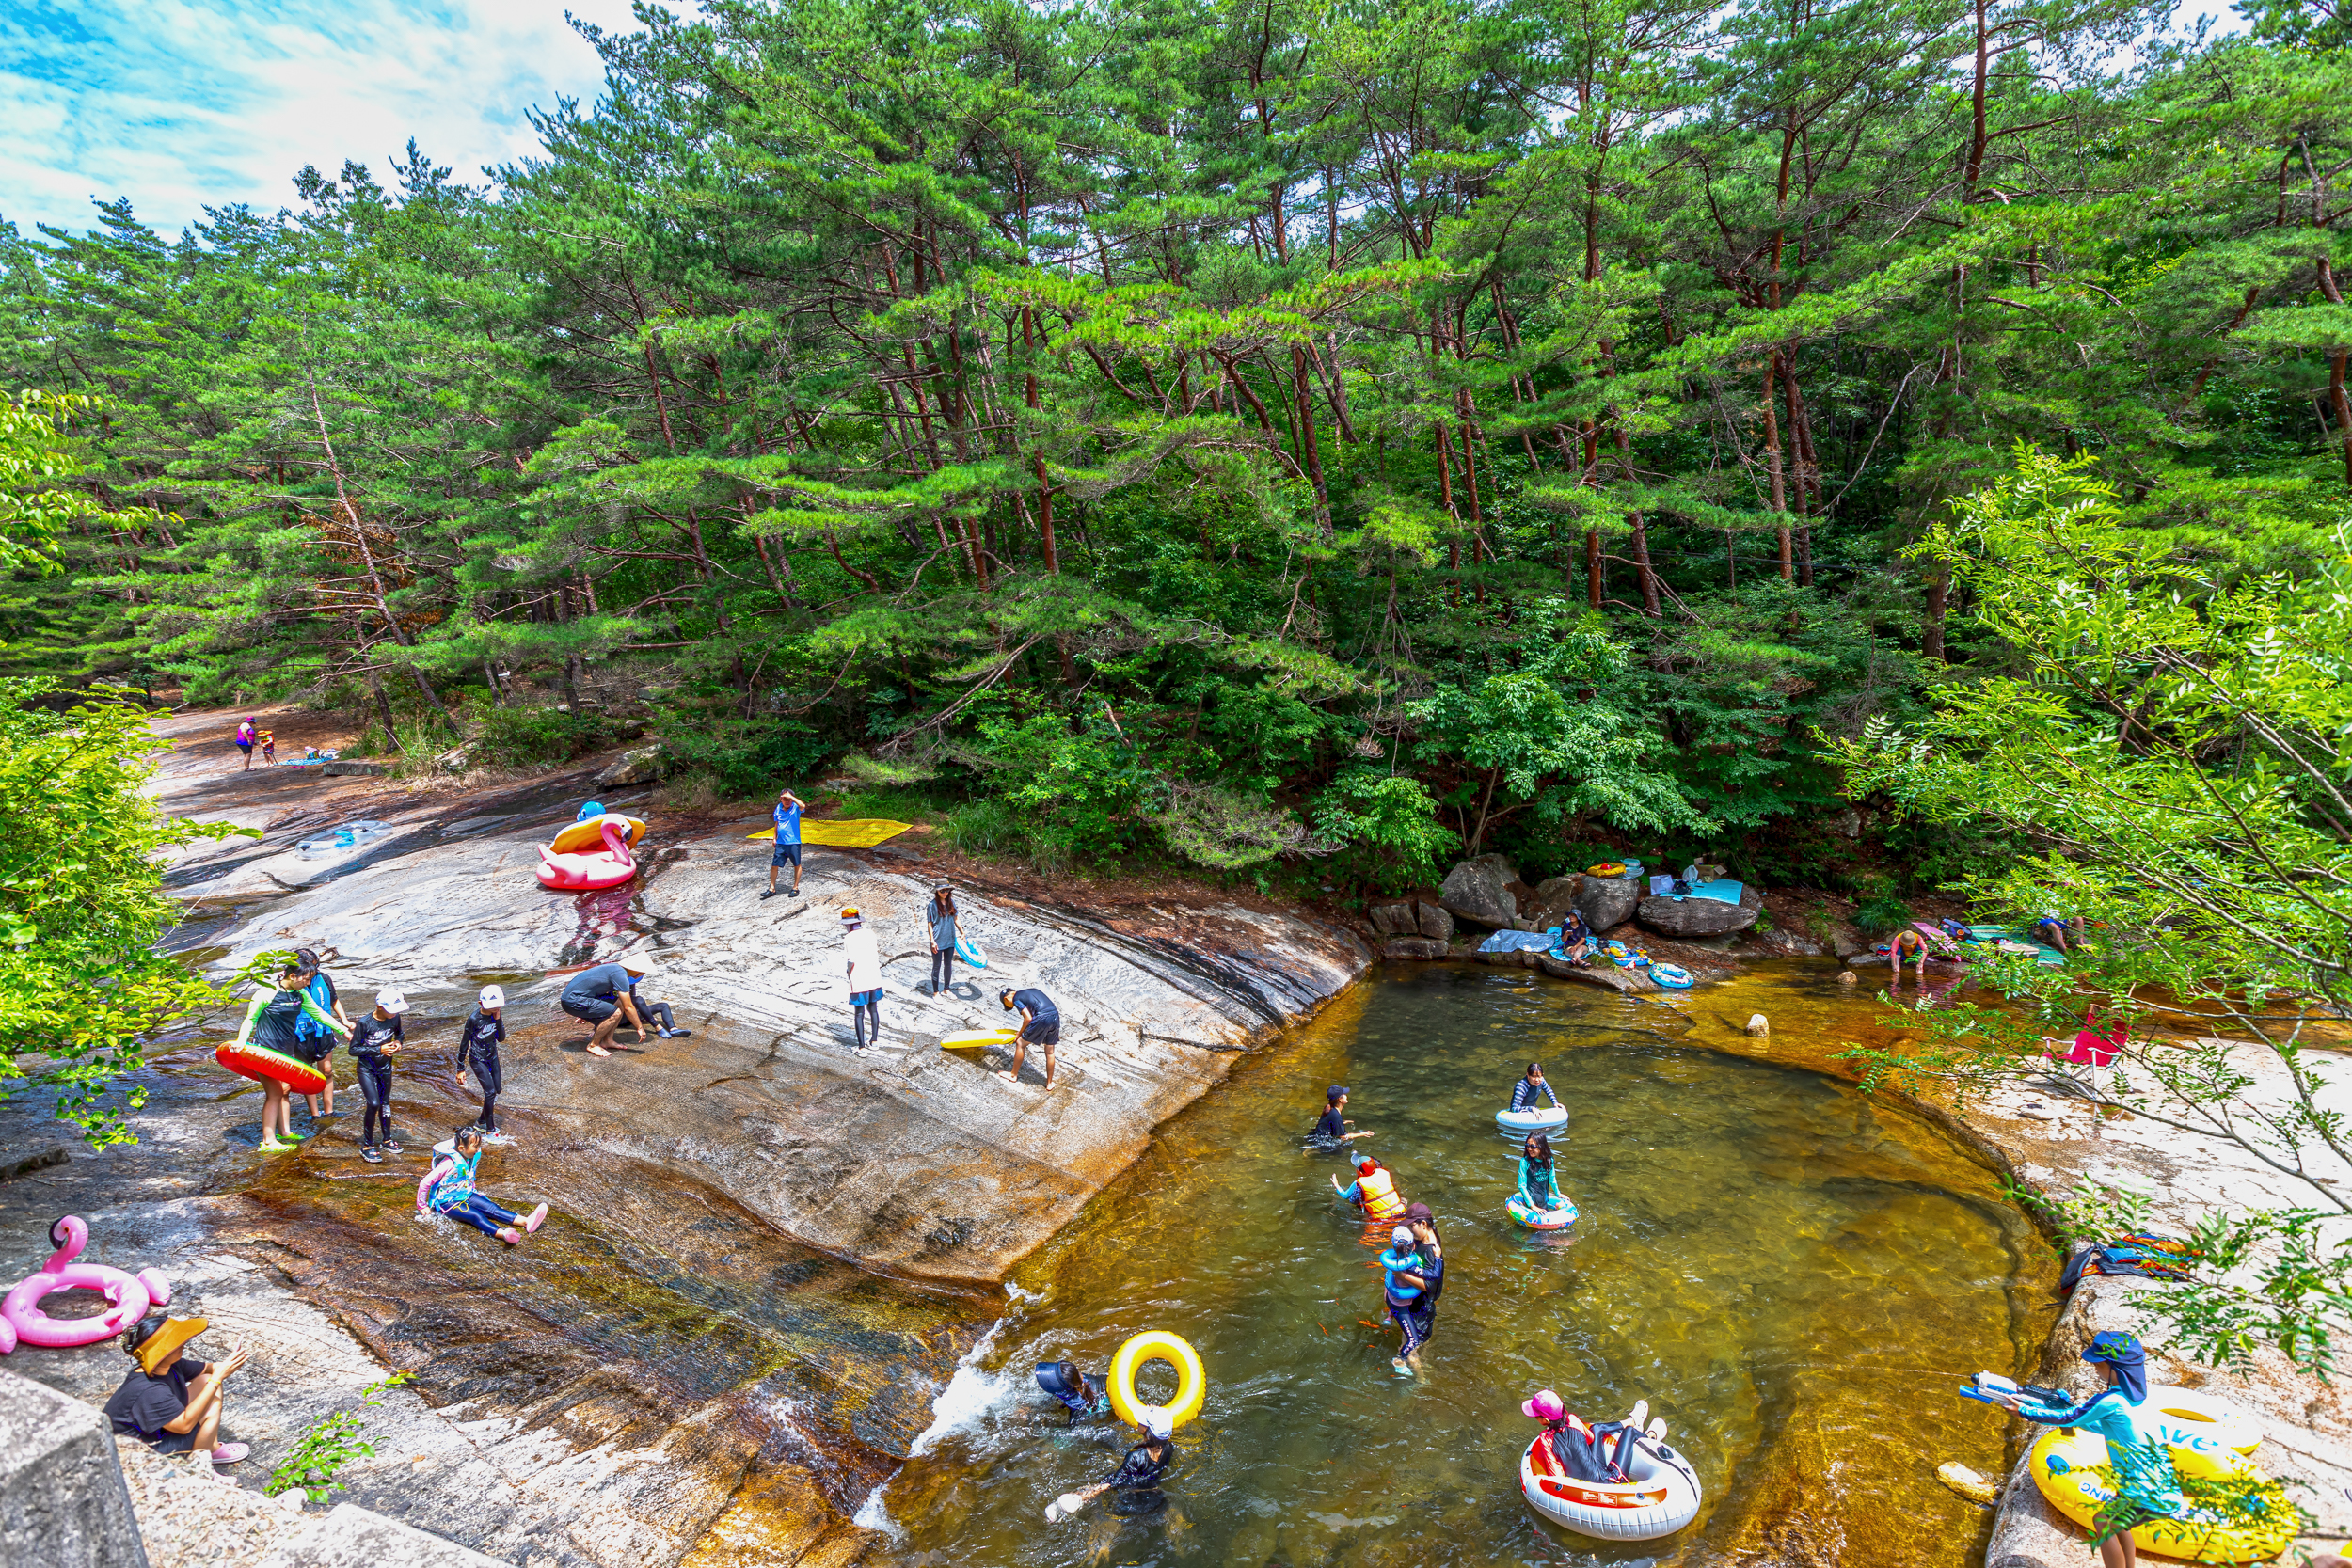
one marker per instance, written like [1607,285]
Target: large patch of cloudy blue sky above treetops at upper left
[182,105]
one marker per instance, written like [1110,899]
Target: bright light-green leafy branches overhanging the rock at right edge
[2172,753]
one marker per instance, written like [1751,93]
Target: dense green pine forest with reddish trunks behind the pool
[1227,429]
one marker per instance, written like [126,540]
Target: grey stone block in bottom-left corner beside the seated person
[62,1499]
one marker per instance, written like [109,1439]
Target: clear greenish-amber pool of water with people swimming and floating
[1789,1271]
